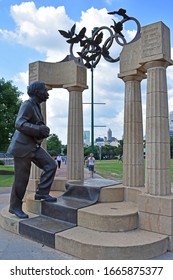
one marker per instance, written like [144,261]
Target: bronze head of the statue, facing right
[38,90]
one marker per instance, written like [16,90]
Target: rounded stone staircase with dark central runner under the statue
[103,229]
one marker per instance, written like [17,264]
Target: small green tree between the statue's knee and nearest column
[53,145]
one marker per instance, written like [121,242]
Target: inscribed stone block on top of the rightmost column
[155,43]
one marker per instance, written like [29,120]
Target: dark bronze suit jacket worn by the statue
[27,135]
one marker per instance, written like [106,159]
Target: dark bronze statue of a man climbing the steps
[26,148]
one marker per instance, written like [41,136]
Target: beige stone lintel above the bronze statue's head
[58,74]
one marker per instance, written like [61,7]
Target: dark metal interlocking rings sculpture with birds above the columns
[92,50]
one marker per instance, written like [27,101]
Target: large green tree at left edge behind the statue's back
[10,102]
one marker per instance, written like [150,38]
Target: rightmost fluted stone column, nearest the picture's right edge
[157,130]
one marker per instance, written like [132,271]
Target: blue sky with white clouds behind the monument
[29,32]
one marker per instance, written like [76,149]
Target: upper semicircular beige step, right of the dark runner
[110,217]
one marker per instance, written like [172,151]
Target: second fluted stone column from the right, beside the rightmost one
[133,156]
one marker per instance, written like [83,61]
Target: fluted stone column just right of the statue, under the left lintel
[75,154]
